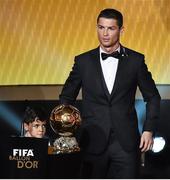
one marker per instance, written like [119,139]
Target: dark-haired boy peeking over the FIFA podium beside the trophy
[34,122]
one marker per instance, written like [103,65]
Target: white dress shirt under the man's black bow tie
[109,69]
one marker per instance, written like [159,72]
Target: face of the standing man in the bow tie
[108,32]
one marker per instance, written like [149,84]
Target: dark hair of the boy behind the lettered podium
[34,112]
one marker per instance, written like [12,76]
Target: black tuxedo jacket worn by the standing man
[102,112]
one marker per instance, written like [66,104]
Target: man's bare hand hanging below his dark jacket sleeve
[146,141]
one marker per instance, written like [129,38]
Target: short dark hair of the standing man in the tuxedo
[111,14]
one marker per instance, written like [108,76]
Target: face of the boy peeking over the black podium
[35,129]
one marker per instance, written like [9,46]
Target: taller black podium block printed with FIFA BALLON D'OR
[23,157]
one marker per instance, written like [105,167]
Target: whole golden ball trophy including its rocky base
[64,120]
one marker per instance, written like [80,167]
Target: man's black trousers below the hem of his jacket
[113,163]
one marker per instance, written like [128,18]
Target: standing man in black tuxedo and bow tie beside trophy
[109,76]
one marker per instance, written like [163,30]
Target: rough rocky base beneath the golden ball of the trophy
[64,145]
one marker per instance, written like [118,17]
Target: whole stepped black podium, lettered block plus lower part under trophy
[22,157]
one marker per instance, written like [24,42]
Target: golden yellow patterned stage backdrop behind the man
[39,38]
